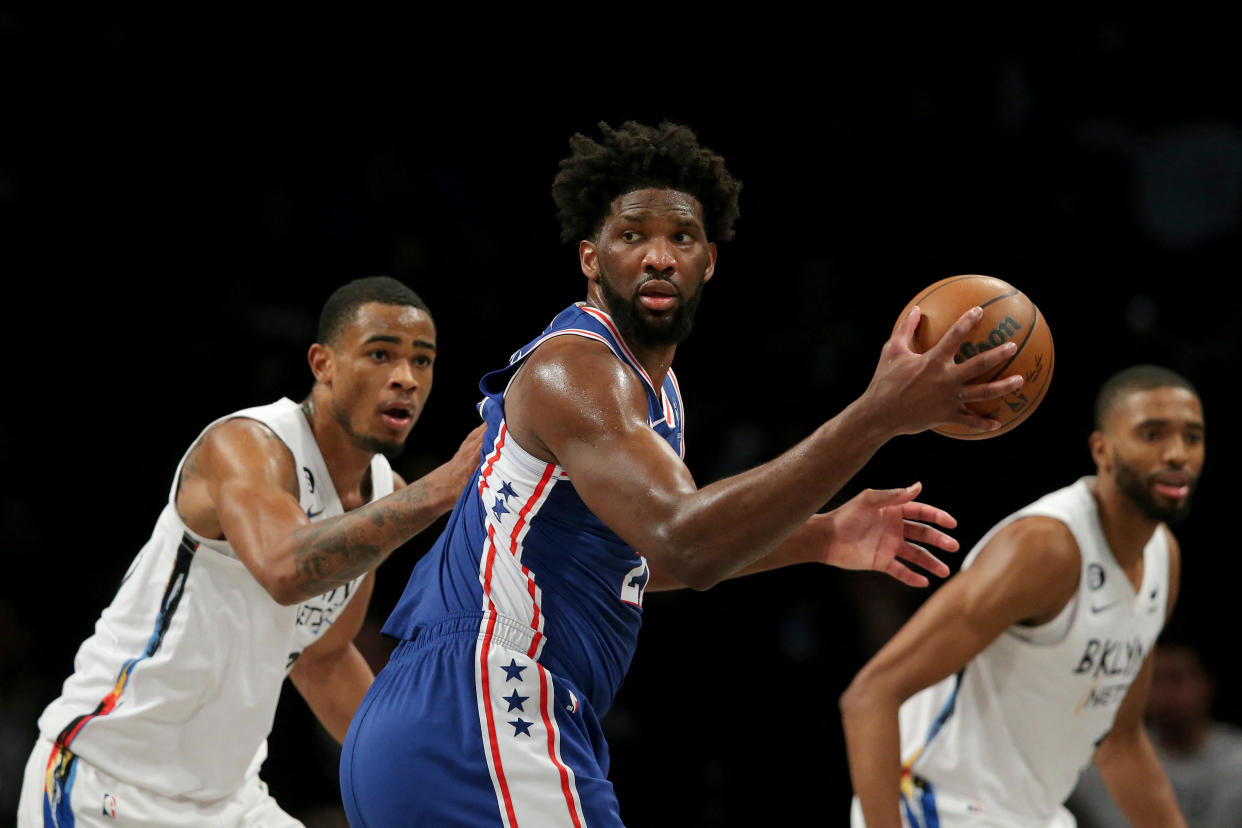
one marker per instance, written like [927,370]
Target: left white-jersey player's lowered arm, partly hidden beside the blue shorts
[331,675]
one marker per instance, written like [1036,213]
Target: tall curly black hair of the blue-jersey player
[637,157]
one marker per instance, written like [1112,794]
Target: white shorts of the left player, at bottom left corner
[97,800]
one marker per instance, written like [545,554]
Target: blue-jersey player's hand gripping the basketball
[911,393]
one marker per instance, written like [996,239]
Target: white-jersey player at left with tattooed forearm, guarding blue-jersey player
[260,567]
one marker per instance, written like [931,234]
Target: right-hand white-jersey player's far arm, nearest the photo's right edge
[1127,760]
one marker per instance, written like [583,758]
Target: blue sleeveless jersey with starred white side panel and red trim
[522,546]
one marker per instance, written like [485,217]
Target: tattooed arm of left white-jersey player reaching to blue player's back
[249,495]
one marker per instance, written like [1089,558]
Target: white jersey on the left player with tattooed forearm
[177,690]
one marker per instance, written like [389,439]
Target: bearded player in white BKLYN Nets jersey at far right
[1034,660]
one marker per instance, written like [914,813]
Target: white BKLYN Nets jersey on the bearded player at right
[1013,732]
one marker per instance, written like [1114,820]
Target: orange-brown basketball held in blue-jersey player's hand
[1008,316]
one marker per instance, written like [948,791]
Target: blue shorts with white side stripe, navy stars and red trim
[464,728]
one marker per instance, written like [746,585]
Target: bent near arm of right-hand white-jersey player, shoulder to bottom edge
[1027,574]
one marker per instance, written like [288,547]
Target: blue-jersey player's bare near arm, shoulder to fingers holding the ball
[576,404]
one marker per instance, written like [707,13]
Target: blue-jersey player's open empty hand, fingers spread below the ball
[877,529]
